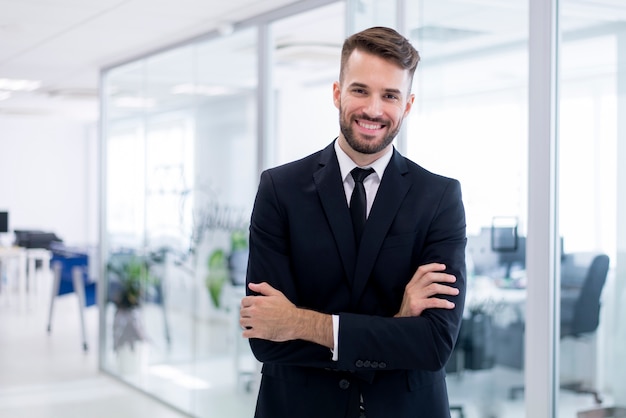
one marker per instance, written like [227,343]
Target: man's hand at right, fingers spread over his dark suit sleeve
[428,280]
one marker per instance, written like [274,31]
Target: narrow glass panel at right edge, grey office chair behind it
[591,193]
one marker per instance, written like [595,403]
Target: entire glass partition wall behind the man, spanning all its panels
[183,148]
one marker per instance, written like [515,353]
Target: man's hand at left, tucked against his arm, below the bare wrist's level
[267,316]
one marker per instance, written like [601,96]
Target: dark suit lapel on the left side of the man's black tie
[332,195]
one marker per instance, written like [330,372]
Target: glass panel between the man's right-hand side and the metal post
[469,122]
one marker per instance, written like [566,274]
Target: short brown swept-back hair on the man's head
[382,42]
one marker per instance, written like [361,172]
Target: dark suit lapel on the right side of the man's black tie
[391,193]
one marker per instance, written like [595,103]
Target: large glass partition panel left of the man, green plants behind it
[181,176]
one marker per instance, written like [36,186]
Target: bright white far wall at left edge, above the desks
[49,176]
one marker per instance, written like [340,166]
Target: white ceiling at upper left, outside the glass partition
[64,43]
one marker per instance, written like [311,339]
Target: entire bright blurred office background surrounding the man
[138,178]
